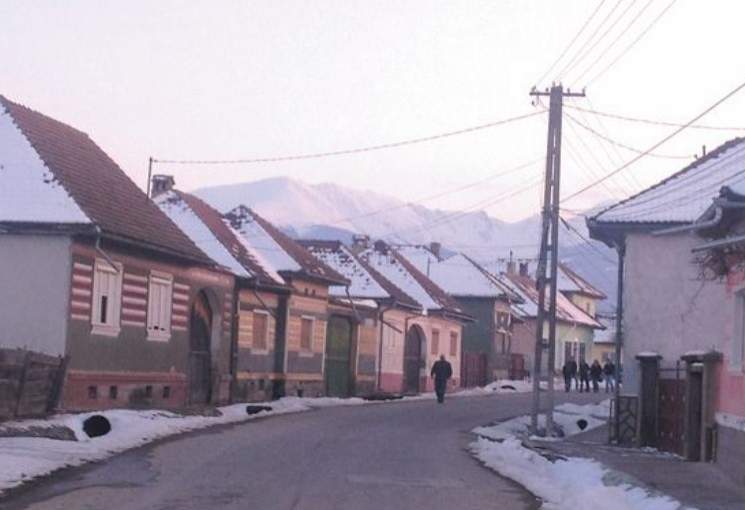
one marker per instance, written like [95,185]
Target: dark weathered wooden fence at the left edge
[30,383]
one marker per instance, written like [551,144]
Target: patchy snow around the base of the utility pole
[567,416]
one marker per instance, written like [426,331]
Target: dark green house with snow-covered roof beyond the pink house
[487,341]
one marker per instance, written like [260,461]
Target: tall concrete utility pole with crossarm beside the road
[549,246]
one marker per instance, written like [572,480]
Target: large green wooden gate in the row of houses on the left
[338,357]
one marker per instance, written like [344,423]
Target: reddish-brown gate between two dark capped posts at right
[671,409]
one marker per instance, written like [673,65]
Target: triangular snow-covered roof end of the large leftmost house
[29,191]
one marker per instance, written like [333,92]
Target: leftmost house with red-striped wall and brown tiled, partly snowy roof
[93,270]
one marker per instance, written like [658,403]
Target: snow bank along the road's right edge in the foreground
[572,484]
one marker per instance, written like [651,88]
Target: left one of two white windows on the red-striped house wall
[107,292]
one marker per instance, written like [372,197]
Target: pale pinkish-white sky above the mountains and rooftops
[240,79]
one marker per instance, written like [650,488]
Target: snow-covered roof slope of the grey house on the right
[685,195]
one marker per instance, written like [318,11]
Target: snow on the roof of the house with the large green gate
[342,260]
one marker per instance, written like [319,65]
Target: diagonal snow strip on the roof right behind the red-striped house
[187,220]
